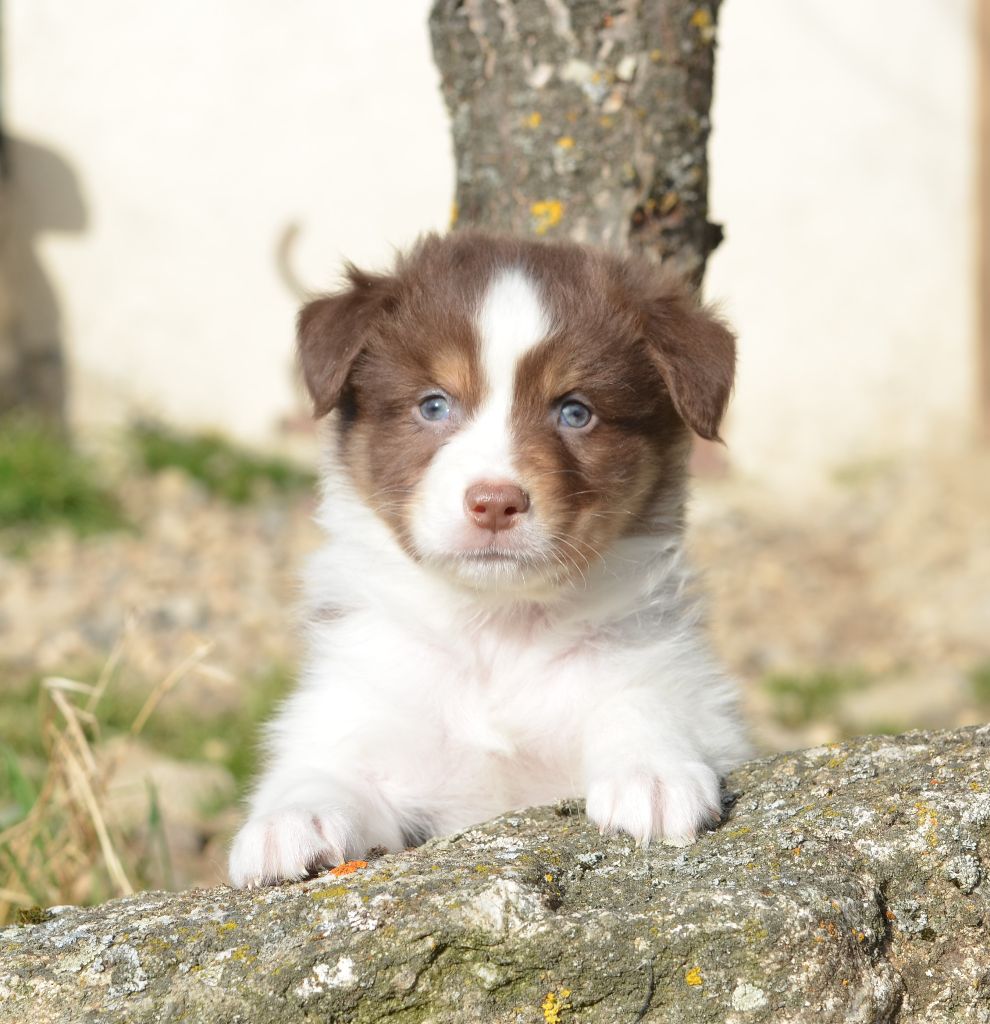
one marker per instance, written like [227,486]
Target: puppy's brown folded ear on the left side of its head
[332,331]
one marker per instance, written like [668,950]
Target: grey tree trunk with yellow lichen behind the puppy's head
[583,119]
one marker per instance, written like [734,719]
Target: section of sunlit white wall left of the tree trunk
[197,133]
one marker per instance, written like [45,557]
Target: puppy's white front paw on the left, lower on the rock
[288,845]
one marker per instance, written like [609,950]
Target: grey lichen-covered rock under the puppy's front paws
[847,883]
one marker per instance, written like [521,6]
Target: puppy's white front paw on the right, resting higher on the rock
[673,805]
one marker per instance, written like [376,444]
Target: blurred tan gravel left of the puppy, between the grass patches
[195,570]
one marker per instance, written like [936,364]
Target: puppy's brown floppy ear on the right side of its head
[696,354]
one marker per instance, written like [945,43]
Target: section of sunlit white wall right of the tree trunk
[843,167]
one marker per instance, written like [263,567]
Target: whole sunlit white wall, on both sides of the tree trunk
[194,134]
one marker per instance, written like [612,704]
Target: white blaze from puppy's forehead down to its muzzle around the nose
[511,320]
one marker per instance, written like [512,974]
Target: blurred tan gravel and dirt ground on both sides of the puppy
[867,609]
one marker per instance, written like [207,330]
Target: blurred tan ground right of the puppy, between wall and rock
[885,577]
